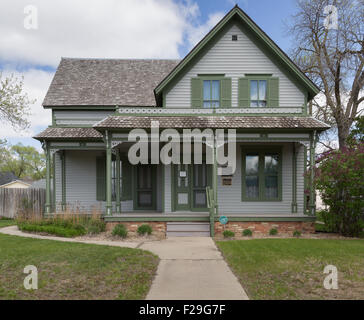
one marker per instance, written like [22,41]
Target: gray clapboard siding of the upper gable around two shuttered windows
[234,59]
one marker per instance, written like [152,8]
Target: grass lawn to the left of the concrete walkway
[74,270]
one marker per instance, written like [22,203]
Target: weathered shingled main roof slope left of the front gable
[106,82]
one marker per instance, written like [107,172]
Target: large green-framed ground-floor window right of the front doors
[261,175]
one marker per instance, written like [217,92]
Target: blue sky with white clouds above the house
[32,48]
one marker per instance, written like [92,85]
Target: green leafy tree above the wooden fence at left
[24,161]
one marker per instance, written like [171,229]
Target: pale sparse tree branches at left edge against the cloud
[14,103]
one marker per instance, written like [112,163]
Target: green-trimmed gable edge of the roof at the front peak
[238,15]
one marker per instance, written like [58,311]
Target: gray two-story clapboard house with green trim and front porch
[236,78]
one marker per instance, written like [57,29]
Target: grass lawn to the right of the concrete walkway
[293,268]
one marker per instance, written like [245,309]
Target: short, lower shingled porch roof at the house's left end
[69,133]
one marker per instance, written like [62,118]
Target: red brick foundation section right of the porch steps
[263,228]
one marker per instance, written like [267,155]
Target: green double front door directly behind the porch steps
[190,182]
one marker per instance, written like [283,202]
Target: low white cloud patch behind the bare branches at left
[36,83]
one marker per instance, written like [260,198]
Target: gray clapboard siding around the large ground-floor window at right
[229,197]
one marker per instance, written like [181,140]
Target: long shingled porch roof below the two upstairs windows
[213,122]
